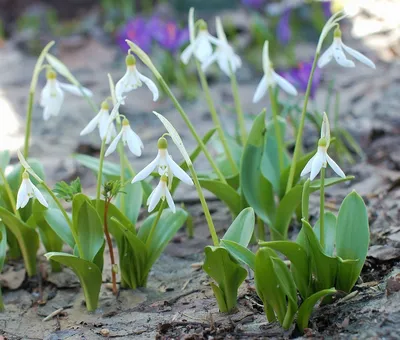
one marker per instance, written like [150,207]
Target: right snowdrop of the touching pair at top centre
[224,54]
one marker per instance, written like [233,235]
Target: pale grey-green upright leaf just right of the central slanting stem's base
[241,229]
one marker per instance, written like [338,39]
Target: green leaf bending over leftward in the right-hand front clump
[300,263]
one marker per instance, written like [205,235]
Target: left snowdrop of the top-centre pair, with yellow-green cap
[201,45]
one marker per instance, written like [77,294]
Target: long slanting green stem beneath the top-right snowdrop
[298,146]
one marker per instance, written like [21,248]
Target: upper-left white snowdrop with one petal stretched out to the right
[52,96]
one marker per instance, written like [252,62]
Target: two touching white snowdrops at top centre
[201,46]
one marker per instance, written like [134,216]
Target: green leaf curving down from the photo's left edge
[26,236]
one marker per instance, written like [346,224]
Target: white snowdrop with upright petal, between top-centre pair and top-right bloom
[271,78]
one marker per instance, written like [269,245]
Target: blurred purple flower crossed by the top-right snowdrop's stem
[299,75]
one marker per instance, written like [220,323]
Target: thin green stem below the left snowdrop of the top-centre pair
[215,118]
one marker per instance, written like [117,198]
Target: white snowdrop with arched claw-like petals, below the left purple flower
[133,79]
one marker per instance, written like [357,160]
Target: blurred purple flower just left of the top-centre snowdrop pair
[168,34]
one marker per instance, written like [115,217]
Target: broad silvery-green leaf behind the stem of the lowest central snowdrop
[165,230]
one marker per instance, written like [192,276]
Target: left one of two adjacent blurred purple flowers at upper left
[137,31]
